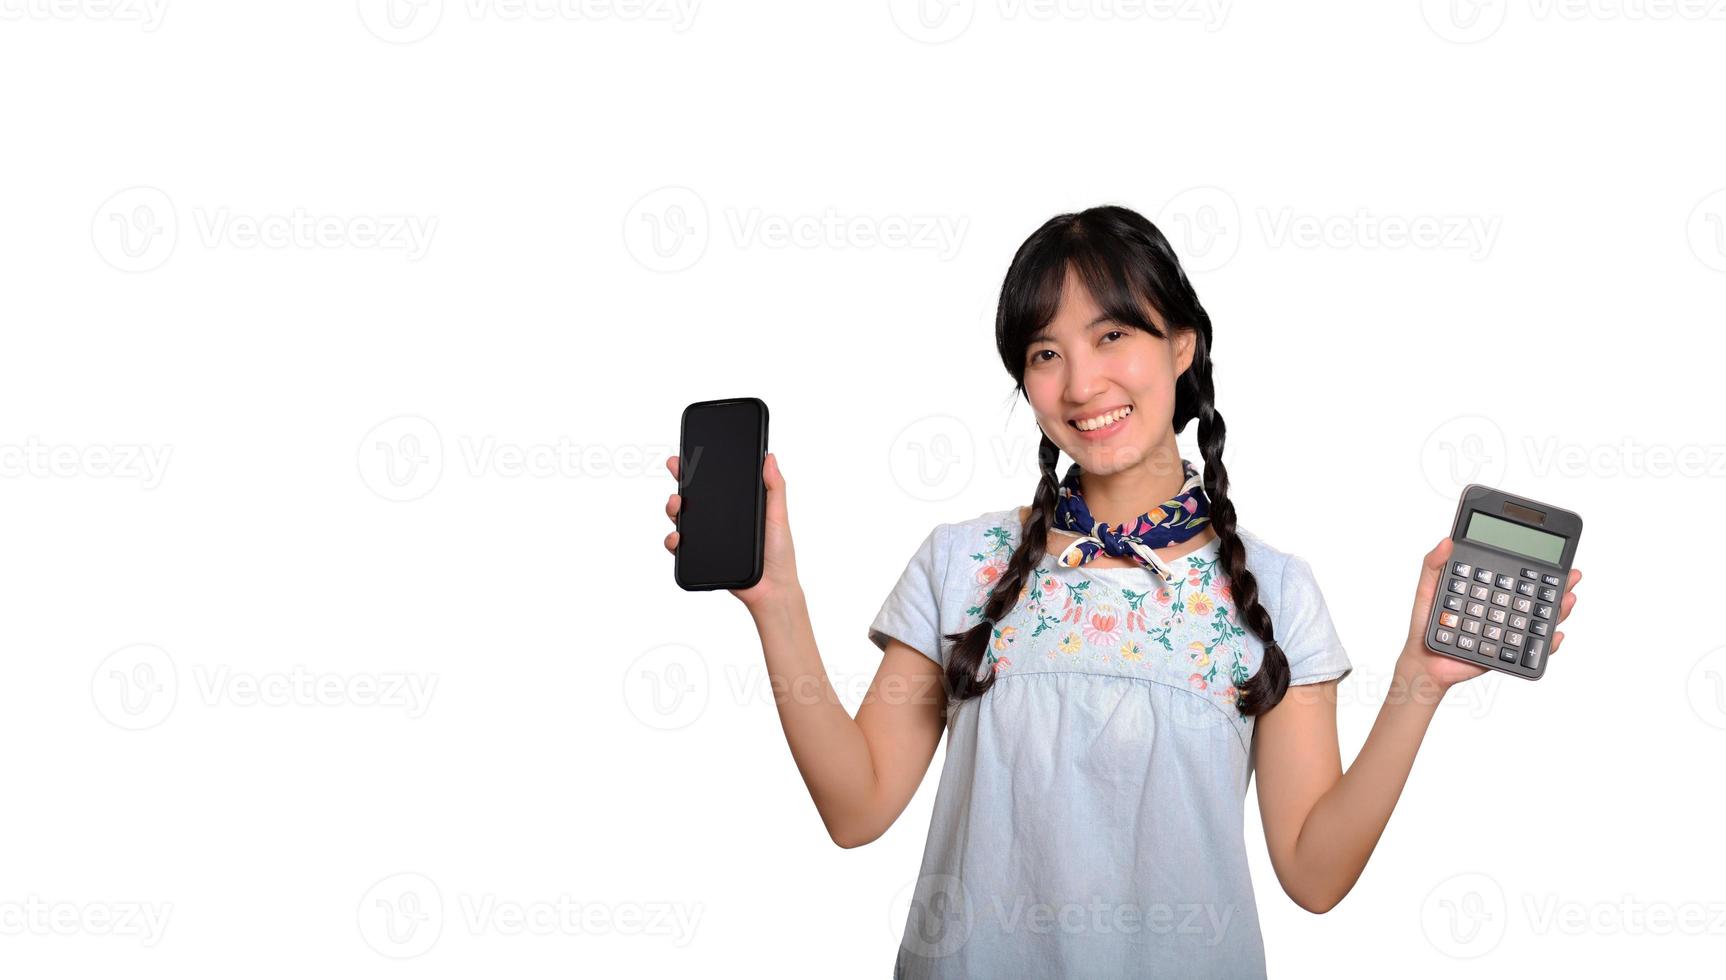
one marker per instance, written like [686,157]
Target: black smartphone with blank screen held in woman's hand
[722,522]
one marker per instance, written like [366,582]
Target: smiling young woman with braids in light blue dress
[1111,663]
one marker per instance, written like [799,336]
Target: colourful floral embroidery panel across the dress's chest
[1133,632]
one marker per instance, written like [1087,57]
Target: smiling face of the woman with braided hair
[1085,367]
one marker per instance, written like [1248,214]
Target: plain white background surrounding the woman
[353,282]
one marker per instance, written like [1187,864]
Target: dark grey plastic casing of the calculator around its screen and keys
[1518,510]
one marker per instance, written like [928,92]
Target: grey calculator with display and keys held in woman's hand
[1499,601]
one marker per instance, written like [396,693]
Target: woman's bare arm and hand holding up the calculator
[1323,824]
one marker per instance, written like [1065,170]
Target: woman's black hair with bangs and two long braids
[1126,263]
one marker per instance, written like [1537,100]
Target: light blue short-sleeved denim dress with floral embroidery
[1090,815]
